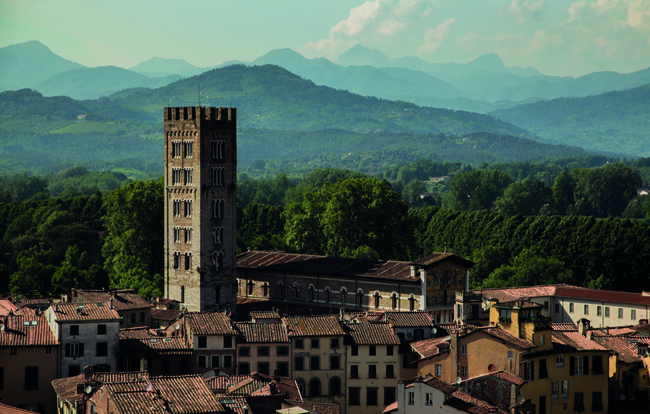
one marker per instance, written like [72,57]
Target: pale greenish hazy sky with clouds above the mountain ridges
[555,36]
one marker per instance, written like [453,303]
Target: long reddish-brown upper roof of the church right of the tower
[302,263]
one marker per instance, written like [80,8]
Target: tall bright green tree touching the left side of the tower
[133,247]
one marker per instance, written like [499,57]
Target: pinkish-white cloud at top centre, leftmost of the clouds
[374,20]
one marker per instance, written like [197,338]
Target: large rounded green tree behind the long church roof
[347,215]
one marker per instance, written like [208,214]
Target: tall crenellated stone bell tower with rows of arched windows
[200,207]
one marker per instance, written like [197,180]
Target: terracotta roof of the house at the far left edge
[26,330]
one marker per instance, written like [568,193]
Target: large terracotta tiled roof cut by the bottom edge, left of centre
[176,394]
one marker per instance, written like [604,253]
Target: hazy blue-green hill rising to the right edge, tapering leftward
[614,121]
